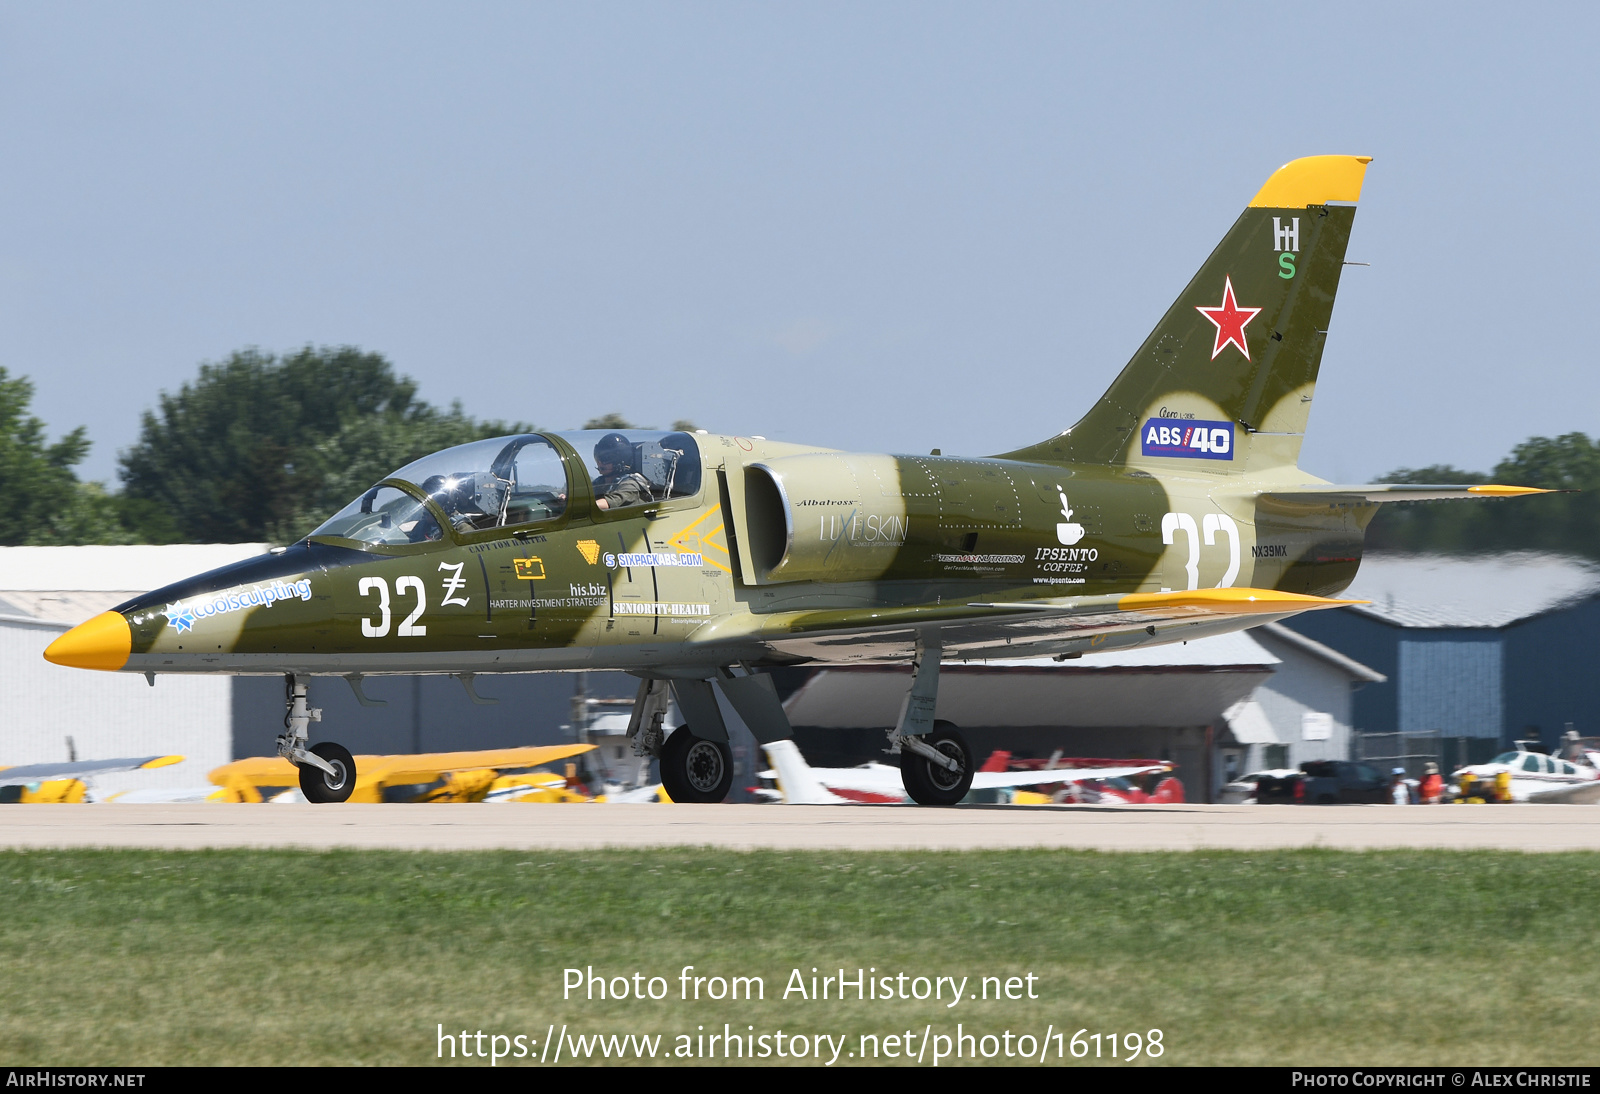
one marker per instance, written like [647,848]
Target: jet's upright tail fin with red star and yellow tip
[1228,375]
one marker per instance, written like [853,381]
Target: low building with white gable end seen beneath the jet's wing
[1217,708]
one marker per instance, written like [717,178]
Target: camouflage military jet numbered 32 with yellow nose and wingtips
[1174,509]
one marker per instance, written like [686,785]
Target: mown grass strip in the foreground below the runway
[351,957]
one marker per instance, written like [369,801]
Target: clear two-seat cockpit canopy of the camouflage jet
[513,481]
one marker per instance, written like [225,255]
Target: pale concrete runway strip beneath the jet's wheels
[574,828]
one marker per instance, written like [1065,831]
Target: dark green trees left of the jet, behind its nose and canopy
[255,449]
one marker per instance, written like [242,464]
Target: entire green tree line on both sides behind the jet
[265,449]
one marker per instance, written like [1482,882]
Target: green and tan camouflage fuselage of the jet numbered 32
[786,554]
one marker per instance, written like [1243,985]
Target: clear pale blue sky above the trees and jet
[871,226]
